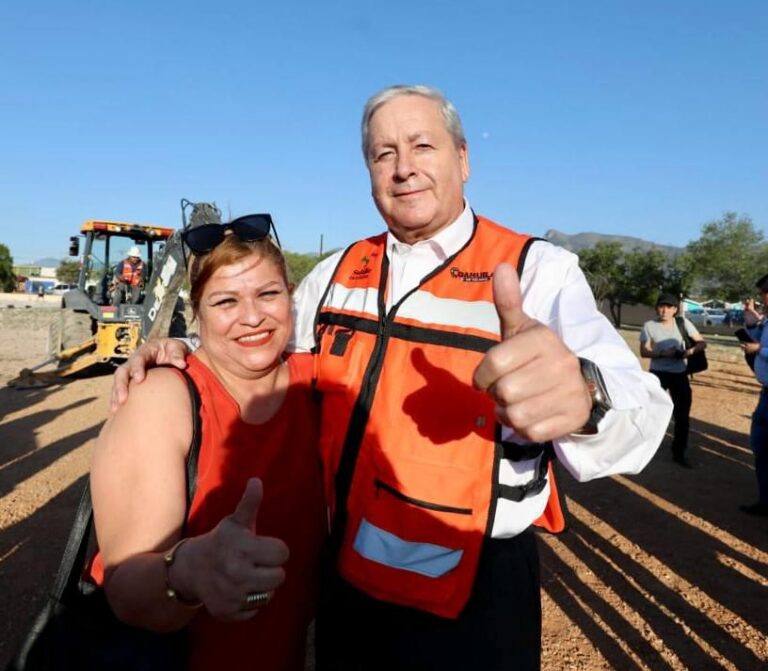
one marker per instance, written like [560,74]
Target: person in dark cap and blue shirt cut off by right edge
[758,434]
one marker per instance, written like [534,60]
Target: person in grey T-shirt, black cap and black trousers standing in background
[663,343]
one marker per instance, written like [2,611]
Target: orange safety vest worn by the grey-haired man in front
[411,450]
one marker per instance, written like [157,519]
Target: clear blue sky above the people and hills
[639,118]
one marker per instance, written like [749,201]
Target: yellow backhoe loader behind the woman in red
[98,325]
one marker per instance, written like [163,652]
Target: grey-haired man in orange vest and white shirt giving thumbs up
[454,358]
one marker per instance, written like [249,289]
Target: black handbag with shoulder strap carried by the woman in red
[76,628]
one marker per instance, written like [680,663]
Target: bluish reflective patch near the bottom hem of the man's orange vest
[385,548]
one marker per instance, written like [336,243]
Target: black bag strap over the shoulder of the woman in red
[73,560]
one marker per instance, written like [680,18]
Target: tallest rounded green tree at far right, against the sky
[727,258]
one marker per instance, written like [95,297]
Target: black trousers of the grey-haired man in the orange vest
[500,628]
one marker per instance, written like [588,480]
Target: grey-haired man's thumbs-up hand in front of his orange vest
[533,378]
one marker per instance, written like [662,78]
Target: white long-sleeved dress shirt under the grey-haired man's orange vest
[556,294]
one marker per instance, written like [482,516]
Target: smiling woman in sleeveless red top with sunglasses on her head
[243,577]
